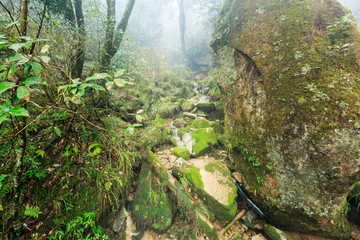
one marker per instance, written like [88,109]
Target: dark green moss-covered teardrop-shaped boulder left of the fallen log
[152,206]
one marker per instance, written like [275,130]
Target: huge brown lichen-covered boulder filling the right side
[289,79]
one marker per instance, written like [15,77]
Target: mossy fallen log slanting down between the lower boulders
[193,210]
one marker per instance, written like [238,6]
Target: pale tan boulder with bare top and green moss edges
[212,181]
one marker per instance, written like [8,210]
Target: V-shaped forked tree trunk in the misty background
[112,43]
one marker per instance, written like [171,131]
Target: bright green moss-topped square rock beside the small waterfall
[204,140]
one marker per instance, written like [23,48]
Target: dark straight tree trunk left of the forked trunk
[79,57]
